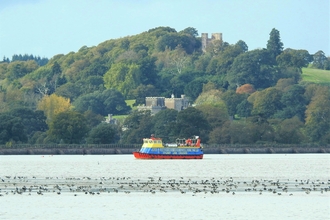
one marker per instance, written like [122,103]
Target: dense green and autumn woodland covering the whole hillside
[238,96]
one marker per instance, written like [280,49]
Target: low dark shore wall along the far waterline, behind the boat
[113,151]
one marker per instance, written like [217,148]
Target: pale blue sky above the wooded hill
[46,28]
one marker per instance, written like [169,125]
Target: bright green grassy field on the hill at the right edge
[316,76]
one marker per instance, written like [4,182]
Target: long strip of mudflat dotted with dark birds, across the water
[21,185]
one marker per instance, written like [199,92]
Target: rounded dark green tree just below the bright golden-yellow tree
[69,126]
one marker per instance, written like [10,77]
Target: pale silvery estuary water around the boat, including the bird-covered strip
[247,186]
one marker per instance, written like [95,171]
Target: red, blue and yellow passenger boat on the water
[154,148]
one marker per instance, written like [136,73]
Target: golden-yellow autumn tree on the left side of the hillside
[53,105]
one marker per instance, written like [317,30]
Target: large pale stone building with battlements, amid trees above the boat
[156,104]
